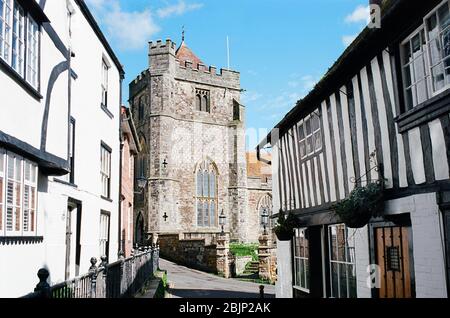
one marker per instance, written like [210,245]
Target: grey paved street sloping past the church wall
[189,283]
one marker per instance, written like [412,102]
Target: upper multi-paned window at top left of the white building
[19,41]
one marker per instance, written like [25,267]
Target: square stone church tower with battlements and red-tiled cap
[192,132]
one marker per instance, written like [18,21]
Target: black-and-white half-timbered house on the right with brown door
[380,114]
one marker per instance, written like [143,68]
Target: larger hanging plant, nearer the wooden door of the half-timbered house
[362,204]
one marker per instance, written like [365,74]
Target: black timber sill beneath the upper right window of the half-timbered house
[425,112]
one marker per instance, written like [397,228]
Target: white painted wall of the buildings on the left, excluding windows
[19,263]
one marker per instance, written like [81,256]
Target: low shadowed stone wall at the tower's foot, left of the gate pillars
[193,253]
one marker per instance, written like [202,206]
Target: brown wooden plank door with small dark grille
[393,257]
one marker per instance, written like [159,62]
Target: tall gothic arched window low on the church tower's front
[206,194]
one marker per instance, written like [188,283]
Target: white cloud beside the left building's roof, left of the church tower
[129,30]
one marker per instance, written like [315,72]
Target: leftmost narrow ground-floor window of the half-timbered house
[301,260]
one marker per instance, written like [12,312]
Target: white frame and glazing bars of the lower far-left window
[20,209]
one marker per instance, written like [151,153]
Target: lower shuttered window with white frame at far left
[18,195]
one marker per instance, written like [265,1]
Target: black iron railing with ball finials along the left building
[124,278]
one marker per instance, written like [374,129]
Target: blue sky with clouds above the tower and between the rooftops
[281,47]
